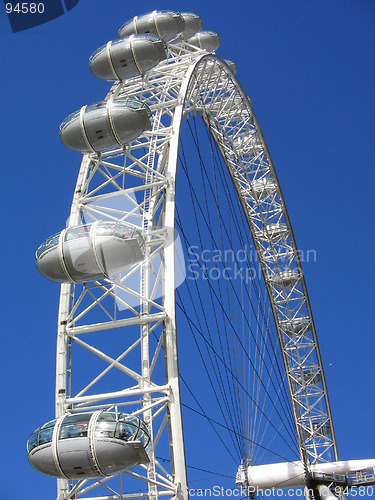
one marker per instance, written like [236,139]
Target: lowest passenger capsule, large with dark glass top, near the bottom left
[88,445]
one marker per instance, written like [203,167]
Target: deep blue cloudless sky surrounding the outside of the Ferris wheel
[309,68]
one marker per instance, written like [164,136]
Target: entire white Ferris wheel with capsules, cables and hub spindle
[182,289]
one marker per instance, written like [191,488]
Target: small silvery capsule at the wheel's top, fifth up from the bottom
[165,23]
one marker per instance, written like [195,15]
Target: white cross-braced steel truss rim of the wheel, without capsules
[128,323]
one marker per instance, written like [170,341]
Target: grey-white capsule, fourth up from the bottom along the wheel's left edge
[128,57]
